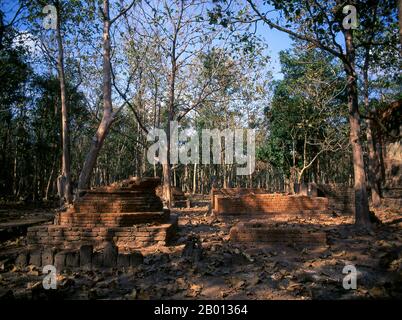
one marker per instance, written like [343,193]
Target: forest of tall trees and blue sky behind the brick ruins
[77,101]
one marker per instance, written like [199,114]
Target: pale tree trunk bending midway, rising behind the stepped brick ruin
[107,118]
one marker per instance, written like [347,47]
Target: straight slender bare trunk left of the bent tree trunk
[66,191]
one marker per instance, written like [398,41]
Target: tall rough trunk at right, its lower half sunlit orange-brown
[361,200]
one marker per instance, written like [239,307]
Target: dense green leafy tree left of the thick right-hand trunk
[307,109]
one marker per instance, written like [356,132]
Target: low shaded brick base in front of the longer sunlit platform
[266,233]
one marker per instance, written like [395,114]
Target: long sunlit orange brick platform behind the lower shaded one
[268,204]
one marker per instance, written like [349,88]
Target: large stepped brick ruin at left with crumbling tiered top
[128,215]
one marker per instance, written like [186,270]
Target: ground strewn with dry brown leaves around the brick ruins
[220,269]
